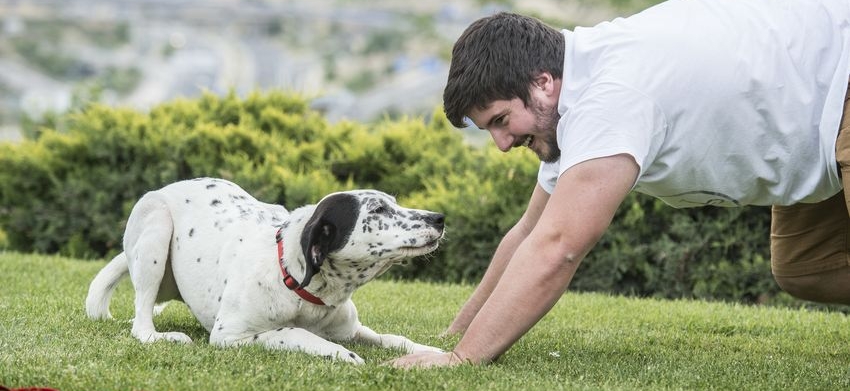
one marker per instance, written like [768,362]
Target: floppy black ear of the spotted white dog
[327,230]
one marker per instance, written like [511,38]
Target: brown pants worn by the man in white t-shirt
[814,239]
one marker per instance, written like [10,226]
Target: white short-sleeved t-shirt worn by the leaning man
[720,102]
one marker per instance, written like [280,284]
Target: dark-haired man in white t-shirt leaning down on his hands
[696,102]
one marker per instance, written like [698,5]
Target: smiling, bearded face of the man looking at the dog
[512,124]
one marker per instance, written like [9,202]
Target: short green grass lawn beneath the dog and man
[588,342]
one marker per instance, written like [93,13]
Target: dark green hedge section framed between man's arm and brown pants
[710,252]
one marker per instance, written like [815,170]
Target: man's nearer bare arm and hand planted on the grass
[577,214]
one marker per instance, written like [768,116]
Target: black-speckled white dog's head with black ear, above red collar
[364,232]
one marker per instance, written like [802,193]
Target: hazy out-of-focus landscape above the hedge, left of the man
[354,59]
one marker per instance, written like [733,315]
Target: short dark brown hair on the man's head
[497,58]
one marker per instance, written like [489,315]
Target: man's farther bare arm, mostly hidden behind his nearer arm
[503,254]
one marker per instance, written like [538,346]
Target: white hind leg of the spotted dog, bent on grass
[147,242]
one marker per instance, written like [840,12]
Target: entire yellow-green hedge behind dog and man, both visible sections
[71,191]
